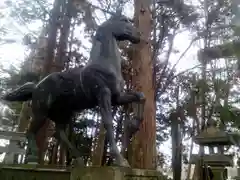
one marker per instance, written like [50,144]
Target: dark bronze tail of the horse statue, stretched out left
[23,93]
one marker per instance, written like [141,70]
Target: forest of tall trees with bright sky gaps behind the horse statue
[41,36]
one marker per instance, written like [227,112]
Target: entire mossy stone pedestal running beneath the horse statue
[47,172]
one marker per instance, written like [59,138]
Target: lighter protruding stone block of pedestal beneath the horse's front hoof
[114,173]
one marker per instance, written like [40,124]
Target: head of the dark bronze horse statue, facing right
[121,28]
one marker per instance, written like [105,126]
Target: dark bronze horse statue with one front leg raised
[99,84]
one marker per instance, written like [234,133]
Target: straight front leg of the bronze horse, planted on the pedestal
[104,99]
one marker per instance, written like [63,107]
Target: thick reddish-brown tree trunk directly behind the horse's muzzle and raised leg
[144,144]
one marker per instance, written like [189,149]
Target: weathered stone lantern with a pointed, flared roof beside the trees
[214,137]
